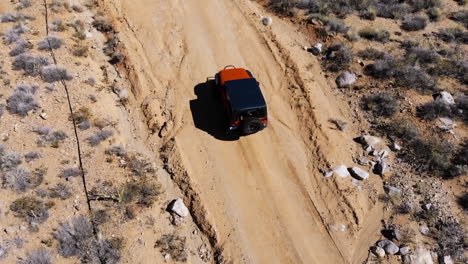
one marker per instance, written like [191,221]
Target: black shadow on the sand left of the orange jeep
[208,113]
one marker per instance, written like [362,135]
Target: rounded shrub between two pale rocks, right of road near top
[338,57]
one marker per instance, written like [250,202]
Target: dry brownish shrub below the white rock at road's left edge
[174,246]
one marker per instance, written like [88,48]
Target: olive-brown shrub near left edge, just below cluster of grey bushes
[30,209]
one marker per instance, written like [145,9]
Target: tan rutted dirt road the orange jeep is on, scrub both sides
[262,195]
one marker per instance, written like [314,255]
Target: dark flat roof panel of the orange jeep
[245,94]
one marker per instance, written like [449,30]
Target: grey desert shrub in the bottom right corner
[450,237]
